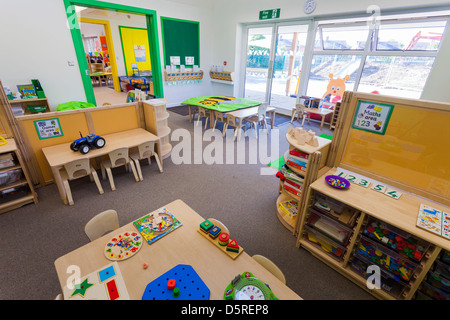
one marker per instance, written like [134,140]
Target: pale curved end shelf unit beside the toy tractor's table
[156,118]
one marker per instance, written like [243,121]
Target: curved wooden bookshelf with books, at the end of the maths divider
[314,159]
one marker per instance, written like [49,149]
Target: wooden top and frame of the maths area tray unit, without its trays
[374,205]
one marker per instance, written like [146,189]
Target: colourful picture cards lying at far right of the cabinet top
[434,220]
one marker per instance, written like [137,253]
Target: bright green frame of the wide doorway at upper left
[149,23]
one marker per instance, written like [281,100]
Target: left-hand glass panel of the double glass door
[259,44]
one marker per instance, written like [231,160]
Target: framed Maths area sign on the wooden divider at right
[372,117]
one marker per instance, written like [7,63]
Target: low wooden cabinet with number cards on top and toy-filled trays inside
[401,275]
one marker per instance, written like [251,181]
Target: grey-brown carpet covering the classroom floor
[34,236]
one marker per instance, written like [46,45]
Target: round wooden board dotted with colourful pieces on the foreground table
[123,246]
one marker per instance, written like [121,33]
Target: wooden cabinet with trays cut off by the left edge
[16,189]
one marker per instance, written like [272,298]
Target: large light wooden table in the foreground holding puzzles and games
[184,245]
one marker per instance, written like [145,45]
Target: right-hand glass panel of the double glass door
[290,48]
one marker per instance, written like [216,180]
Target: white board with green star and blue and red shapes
[104,284]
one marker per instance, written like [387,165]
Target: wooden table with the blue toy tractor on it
[60,154]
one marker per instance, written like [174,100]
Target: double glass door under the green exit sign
[275,55]
